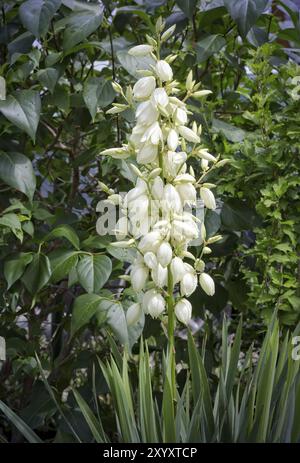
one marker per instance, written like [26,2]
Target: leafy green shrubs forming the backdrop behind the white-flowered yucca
[60,295]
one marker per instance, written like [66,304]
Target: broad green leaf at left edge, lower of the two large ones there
[16,171]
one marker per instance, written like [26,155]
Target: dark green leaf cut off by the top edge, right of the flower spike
[245,12]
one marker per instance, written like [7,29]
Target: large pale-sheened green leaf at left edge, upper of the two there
[23,109]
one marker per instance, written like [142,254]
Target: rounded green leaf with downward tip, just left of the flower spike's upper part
[97,92]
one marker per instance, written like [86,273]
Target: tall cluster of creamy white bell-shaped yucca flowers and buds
[161,143]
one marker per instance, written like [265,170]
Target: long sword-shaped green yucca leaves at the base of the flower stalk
[254,400]
